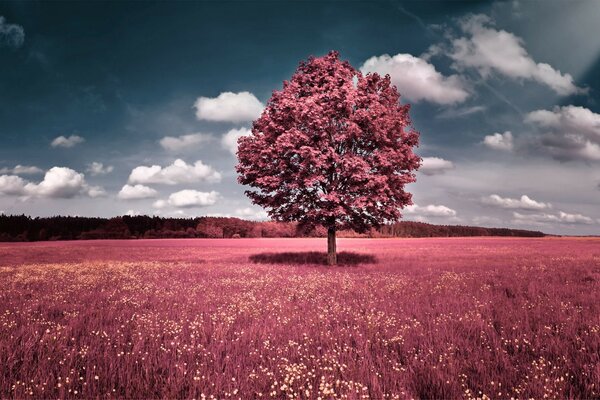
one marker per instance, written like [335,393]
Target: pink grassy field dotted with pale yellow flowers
[257,318]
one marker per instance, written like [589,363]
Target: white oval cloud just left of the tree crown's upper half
[229,107]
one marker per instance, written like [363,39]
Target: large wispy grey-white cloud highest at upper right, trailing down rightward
[489,50]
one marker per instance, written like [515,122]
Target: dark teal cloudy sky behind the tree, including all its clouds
[115,108]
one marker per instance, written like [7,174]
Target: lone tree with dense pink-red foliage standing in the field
[333,148]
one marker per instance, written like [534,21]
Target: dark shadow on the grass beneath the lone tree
[312,257]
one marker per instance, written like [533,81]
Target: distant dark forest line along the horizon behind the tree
[22,228]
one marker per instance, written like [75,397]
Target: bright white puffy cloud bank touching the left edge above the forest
[58,182]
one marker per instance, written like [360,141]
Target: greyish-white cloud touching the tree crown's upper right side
[417,80]
